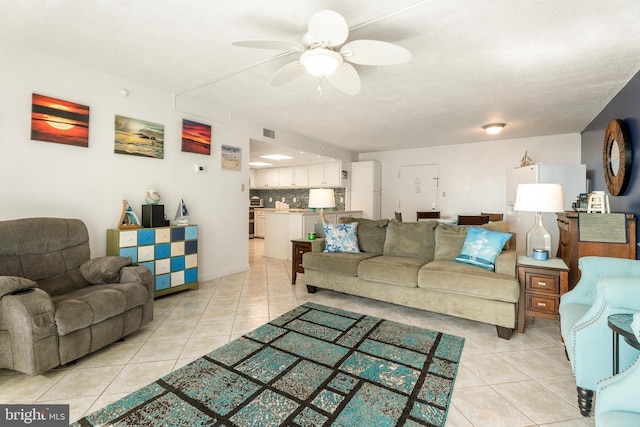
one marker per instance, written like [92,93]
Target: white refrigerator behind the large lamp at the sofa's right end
[573,178]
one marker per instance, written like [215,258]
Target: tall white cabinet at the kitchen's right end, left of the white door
[365,188]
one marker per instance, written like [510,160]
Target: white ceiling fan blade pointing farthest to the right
[374,52]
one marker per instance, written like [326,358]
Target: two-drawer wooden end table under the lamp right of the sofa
[542,283]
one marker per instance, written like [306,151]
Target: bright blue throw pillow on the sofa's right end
[482,247]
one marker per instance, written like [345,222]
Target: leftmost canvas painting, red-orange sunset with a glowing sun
[55,120]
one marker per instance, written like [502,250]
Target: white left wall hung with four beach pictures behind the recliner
[48,179]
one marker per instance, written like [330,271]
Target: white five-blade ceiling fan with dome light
[324,57]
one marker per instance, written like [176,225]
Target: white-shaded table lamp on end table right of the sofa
[539,198]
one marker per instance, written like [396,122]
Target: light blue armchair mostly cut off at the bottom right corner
[617,403]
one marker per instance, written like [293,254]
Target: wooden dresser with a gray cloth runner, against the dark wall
[571,248]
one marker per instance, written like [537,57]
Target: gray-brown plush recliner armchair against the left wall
[56,303]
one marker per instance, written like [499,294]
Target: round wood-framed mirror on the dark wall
[617,157]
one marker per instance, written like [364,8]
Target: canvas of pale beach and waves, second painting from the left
[139,138]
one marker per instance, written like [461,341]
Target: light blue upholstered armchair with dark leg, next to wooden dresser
[607,286]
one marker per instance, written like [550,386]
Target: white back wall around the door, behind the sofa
[473,176]
